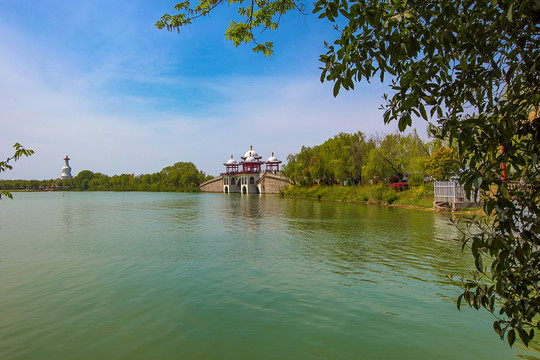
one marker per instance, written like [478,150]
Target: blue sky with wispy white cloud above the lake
[96,80]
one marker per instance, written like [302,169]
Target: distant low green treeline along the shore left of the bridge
[182,176]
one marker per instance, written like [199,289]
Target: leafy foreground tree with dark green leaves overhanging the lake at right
[473,67]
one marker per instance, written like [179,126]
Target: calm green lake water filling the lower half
[103,275]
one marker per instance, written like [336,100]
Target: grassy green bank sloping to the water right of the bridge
[420,196]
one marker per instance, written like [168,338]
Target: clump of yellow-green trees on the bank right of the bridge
[356,159]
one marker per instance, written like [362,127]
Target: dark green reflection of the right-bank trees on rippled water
[359,237]
